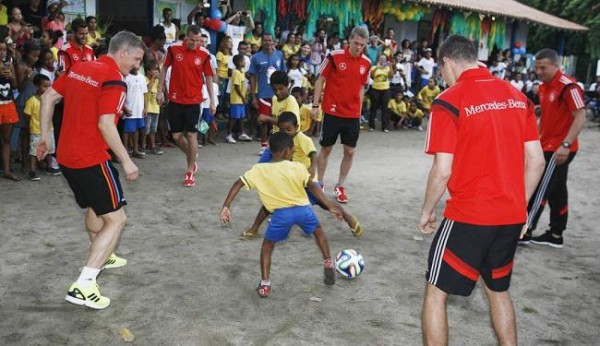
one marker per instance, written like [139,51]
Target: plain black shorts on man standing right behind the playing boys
[334,126]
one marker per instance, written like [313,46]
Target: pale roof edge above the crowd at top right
[508,8]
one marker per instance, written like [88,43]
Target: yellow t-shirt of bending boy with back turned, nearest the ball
[279,184]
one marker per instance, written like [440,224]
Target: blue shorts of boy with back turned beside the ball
[283,219]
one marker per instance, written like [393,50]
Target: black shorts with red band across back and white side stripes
[461,252]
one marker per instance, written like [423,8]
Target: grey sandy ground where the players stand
[191,281]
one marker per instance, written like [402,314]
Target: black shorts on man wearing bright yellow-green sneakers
[96,187]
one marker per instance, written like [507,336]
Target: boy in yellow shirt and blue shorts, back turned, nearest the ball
[281,188]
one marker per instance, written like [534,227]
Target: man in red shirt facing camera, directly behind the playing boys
[346,72]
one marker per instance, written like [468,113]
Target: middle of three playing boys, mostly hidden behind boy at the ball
[304,151]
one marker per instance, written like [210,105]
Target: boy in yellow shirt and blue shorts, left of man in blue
[237,101]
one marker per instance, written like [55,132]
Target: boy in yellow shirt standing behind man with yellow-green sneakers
[32,110]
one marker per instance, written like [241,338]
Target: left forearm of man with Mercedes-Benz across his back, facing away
[436,186]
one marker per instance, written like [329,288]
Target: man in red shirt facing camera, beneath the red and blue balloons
[190,69]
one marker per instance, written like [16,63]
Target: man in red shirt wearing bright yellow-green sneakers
[94,93]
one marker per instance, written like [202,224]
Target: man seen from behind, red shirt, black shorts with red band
[483,135]
